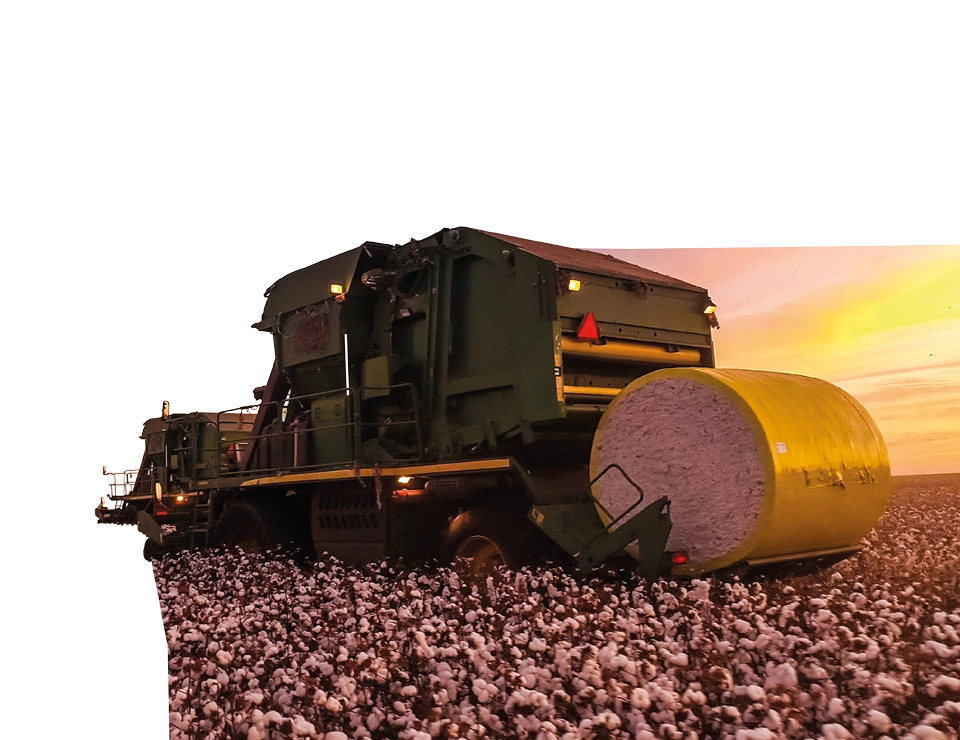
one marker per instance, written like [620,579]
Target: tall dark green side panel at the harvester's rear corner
[491,361]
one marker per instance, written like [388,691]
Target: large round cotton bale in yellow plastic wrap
[756,465]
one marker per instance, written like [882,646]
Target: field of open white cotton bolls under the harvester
[277,647]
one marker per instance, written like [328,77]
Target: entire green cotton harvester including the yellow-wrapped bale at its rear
[491,398]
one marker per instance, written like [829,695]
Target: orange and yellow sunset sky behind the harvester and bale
[882,322]
